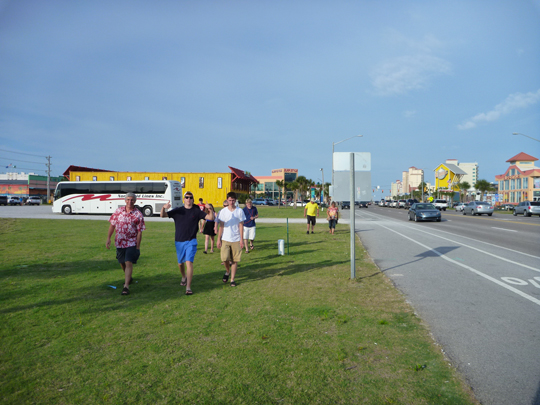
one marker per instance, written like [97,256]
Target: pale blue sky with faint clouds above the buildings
[197,86]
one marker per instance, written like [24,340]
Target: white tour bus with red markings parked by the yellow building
[104,197]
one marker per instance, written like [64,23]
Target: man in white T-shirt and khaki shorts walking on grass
[231,229]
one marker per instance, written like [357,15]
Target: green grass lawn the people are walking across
[296,330]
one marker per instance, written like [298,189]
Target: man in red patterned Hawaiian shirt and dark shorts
[129,224]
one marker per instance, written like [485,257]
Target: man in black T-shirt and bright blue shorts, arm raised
[186,222]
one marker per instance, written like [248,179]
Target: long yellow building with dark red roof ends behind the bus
[211,187]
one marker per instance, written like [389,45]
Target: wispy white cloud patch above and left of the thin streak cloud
[406,73]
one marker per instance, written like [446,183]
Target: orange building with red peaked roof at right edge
[521,181]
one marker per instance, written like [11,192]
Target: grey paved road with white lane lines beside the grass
[476,282]
